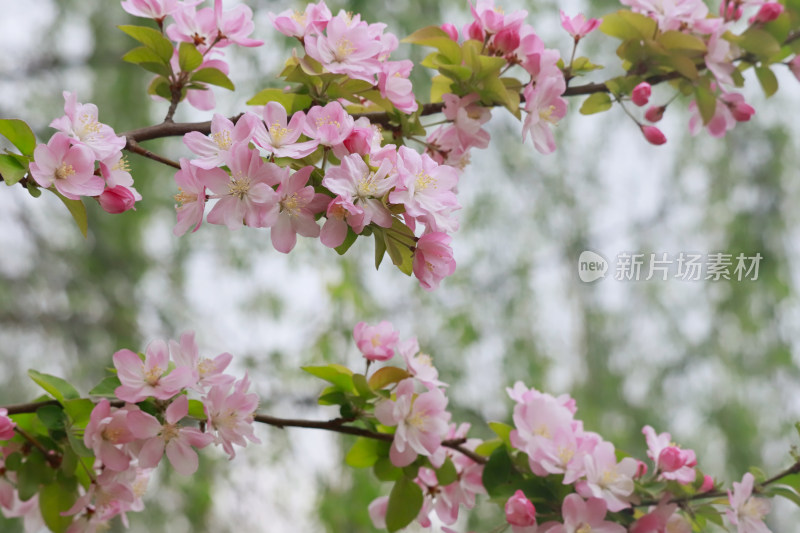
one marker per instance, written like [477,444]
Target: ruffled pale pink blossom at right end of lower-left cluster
[230,414]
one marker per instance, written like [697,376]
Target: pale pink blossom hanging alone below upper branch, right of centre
[545,108]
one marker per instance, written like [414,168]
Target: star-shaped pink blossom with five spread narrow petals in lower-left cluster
[177,441]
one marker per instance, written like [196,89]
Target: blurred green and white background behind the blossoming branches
[715,363]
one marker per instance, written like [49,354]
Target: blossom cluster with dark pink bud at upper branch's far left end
[67,161]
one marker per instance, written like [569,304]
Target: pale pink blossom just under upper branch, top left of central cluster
[215,148]
